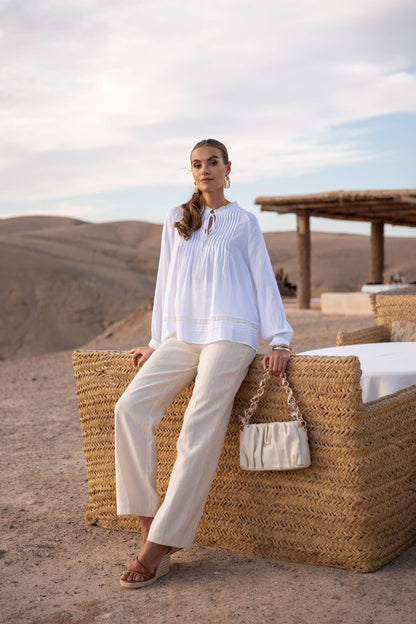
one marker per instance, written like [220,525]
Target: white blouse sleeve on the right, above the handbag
[274,327]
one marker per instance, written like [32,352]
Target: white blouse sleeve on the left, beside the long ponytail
[161,281]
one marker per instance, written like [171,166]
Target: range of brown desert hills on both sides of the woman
[64,281]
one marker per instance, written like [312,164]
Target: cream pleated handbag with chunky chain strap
[276,445]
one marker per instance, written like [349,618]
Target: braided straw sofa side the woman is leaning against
[354,508]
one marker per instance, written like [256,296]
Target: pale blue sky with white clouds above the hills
[102,101]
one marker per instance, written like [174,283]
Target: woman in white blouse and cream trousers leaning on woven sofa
[215,290]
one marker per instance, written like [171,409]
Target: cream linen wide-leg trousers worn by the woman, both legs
[219,369]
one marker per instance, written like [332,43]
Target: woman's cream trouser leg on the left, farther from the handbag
[138,412]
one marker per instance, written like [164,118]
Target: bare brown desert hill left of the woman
[64,281]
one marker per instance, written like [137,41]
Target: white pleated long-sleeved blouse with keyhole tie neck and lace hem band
[219,284]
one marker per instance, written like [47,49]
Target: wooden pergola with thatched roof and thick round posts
[397,207]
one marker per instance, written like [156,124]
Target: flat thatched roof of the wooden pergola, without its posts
[397,207]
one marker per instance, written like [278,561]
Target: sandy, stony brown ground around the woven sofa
[58,570]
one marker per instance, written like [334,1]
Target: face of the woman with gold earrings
[208,168]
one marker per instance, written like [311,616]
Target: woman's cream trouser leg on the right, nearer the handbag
[221,370]
